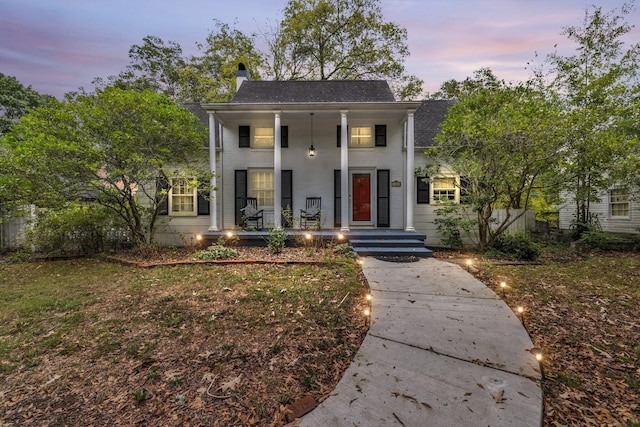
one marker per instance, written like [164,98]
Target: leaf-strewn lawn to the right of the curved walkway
[584,312]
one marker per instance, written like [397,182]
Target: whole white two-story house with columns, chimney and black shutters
[348,143]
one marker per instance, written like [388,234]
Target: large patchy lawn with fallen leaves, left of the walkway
[89,342]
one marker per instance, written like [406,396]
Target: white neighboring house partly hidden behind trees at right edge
[618,211]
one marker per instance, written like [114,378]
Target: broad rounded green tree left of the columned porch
[109,147]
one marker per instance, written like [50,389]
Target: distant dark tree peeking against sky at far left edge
[15,100]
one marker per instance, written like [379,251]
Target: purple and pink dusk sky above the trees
[57,46]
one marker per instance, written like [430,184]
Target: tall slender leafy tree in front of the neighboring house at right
[597,84]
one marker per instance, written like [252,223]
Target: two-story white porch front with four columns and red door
[360,186]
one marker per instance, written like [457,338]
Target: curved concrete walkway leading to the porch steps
[442,350]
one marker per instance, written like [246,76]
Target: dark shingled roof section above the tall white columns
[293,91]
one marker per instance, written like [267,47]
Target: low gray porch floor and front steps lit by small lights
[366,242]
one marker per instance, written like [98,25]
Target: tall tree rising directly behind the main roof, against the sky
[341,40]
